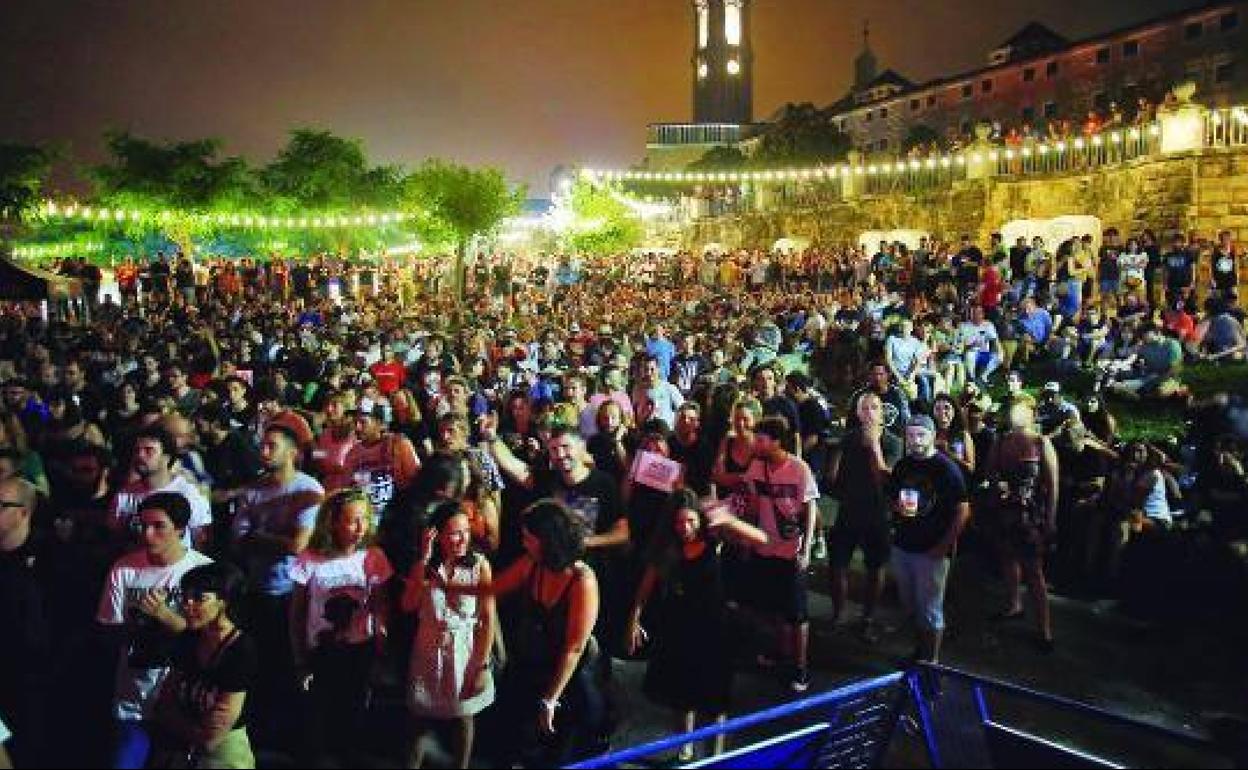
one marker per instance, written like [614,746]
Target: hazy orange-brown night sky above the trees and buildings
[522,84]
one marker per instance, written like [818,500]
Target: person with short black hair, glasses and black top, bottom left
[200,714]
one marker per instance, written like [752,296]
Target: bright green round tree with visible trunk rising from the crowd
[454,204]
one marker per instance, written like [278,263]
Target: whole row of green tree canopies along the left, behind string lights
[178,188]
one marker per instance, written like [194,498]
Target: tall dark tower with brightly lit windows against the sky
[723,63]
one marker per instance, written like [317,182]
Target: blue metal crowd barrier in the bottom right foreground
[854,727]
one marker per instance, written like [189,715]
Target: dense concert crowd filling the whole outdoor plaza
[245,501]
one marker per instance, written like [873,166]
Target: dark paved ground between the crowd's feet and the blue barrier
[1174,677]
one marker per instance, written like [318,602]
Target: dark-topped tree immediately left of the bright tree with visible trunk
[323,172]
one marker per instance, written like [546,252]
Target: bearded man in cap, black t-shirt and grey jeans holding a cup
[932,507]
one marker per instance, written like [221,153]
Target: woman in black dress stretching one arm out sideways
[691,665]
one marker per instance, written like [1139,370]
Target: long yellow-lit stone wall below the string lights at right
[1205,192]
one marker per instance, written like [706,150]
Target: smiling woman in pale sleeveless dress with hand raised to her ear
[450,678]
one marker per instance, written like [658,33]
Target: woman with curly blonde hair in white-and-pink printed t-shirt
[339,617]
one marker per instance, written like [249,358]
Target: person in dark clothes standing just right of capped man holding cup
[1025,472]
